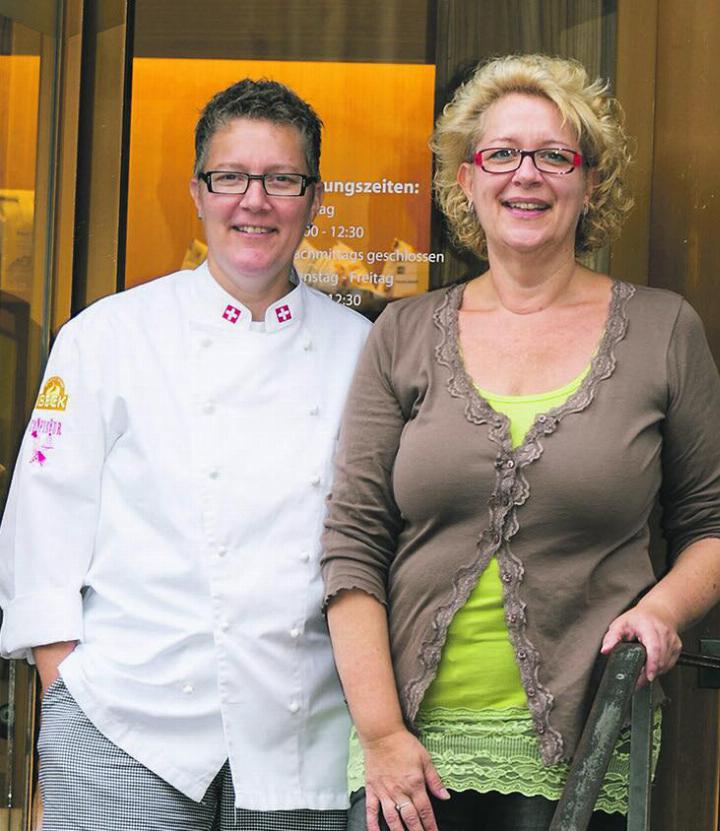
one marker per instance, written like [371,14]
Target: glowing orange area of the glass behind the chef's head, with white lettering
[369,243]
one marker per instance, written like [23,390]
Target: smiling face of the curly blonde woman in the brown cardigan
[526,211]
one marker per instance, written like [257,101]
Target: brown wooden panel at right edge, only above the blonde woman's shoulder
[685,253]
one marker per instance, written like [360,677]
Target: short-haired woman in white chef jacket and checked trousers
[159,547]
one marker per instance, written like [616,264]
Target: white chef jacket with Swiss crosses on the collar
[166,511]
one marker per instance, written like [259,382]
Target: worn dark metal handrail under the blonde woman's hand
[600,734]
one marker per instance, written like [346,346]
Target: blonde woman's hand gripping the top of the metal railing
[654,627]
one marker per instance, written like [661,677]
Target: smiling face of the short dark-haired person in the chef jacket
[252,238]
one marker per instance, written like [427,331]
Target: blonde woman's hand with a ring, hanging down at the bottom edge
[399,772]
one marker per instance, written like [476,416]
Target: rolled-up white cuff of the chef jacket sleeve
[40,618]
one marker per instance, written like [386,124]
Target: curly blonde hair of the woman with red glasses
[595,116]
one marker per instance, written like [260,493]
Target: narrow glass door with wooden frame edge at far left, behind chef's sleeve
[28,55]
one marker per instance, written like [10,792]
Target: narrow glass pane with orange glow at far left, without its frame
[22,322]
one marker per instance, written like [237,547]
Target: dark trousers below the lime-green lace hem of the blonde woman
[472,811]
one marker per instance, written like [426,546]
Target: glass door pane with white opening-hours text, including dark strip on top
[370,78]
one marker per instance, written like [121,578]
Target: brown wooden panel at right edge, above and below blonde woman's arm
[685,256]
